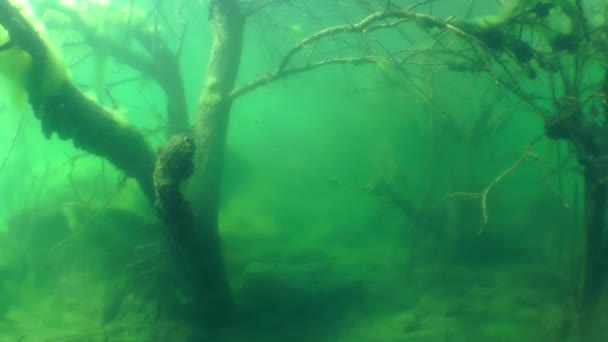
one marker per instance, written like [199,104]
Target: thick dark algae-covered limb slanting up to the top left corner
[66,111]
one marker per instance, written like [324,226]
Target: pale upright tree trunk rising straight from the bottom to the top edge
[210,139]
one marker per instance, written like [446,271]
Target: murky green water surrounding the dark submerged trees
[351,206]
